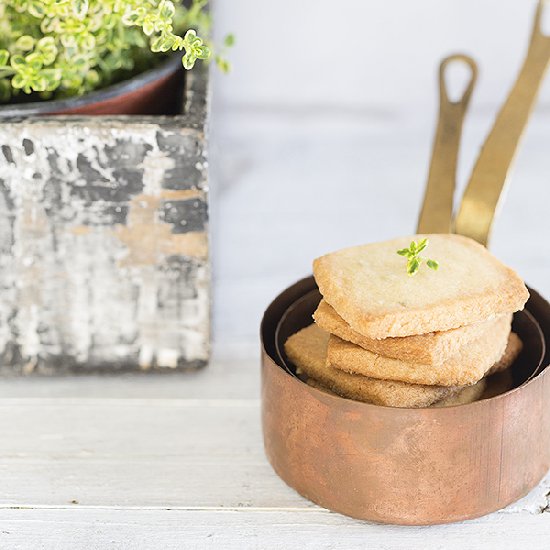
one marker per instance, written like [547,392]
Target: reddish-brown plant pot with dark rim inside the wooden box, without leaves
[154,92]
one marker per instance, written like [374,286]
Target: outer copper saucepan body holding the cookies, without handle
[405,466]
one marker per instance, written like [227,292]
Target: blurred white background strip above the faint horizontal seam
[366,55]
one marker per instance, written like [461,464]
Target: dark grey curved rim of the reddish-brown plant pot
[167,67]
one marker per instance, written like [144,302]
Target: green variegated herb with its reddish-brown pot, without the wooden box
[98,57]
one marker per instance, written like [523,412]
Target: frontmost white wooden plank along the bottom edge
[92,529]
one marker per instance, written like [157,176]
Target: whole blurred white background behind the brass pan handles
[322,136]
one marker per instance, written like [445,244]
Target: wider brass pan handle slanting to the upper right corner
[487,182]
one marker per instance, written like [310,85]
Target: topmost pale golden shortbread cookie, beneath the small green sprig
[369,288]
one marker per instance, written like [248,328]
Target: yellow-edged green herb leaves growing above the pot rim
[70,47]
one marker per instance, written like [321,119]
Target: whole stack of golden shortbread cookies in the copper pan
[387,337]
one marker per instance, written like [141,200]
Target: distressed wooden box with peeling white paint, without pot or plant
[104,241]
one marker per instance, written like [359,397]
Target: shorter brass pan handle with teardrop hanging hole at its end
[437,208]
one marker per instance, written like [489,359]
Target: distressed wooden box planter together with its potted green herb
[104,256]
